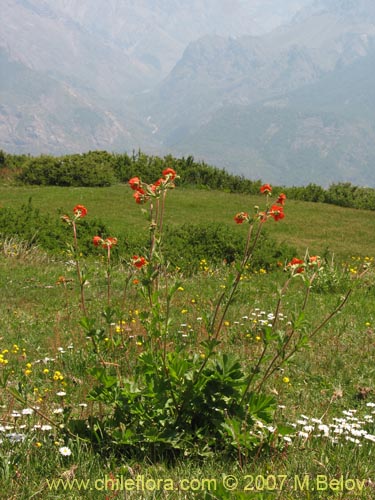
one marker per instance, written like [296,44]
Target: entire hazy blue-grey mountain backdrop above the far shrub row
[281,90]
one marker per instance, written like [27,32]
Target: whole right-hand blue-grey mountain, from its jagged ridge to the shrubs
[245,103]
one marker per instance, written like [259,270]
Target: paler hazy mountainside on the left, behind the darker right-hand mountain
[69,68]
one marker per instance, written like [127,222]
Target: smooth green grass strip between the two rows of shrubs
[316,226]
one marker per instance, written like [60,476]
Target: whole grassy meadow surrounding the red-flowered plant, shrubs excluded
[325,394]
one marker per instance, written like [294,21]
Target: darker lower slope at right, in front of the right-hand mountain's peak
[322,133]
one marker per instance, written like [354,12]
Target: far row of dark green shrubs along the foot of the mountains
[100,168]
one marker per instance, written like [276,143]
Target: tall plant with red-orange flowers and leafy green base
[171,397]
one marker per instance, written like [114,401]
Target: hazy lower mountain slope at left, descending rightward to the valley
[39,114]
